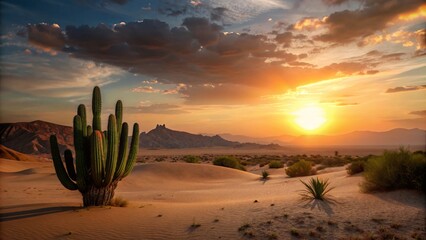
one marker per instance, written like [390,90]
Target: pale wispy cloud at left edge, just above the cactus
[61,77]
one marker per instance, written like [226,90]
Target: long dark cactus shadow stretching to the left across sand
[9,216]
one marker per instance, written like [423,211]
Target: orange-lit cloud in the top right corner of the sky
[348,26]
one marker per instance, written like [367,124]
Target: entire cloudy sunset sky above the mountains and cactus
[247,67]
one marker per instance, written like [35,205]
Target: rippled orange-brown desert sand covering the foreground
[166,199]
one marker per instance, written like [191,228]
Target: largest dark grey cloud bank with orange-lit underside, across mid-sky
[196,54]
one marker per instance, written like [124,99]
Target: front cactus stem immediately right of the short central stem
[112,153]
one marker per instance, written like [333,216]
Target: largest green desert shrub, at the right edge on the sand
[395,170]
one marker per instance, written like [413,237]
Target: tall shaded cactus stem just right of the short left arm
[80,152]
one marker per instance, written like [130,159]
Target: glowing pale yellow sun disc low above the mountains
[310,117]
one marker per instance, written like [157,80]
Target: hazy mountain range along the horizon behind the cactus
[33,138]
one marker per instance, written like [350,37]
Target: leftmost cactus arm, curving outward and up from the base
[59,166]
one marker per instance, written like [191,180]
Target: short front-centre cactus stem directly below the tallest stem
[97,163]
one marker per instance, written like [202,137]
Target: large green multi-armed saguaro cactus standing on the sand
[101,158]
